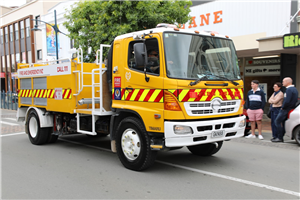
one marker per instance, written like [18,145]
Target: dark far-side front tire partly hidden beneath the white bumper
[205,149]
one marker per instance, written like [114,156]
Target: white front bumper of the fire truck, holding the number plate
[200,134]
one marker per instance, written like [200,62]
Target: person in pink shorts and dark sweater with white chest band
[255,108]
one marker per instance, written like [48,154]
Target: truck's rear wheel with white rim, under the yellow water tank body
[36,134]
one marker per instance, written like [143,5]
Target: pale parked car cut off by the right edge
[292,124]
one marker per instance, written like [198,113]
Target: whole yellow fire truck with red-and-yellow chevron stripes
[158,89]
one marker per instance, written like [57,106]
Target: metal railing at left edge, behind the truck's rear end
[9,100]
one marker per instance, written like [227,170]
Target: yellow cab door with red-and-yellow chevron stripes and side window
[145,98]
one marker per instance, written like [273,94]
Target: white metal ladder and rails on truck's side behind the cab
[94,112]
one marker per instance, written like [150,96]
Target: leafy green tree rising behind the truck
[95,22]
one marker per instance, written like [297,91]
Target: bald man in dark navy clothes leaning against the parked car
[289,102]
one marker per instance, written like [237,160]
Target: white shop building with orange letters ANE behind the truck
[257,29]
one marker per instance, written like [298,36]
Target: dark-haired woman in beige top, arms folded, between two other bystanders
[275,105]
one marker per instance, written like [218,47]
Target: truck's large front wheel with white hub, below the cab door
[131,135]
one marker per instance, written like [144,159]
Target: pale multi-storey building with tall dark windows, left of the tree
[17,43]
